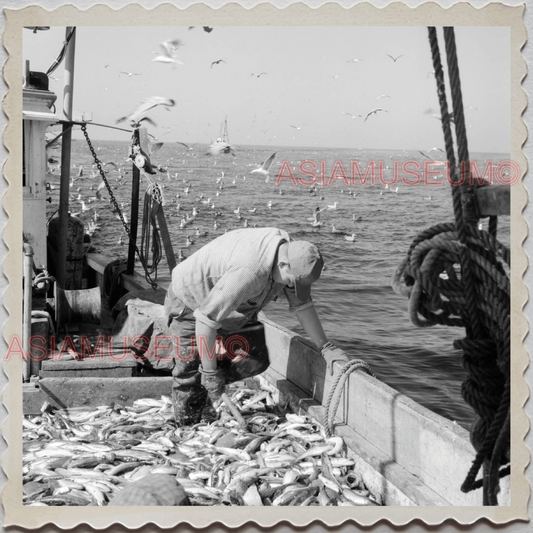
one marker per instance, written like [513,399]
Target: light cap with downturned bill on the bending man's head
[306,265]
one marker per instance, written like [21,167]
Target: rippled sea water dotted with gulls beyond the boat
[354,299]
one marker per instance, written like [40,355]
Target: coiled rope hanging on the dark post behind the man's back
[151,239]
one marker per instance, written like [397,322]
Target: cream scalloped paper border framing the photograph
[395,14]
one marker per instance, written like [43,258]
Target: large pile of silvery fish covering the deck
[73,457]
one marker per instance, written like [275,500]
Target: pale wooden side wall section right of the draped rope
[434,449]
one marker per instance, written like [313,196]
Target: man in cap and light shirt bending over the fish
[221,288]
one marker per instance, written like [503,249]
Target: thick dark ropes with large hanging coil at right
[457,275]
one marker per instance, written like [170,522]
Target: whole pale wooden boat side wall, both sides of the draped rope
[434,449]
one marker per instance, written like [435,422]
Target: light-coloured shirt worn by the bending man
[229,280]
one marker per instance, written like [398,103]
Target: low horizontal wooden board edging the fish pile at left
[91,392]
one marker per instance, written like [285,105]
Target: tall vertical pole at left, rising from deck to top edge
[62,236]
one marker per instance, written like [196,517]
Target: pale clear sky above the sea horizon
[305,96]
